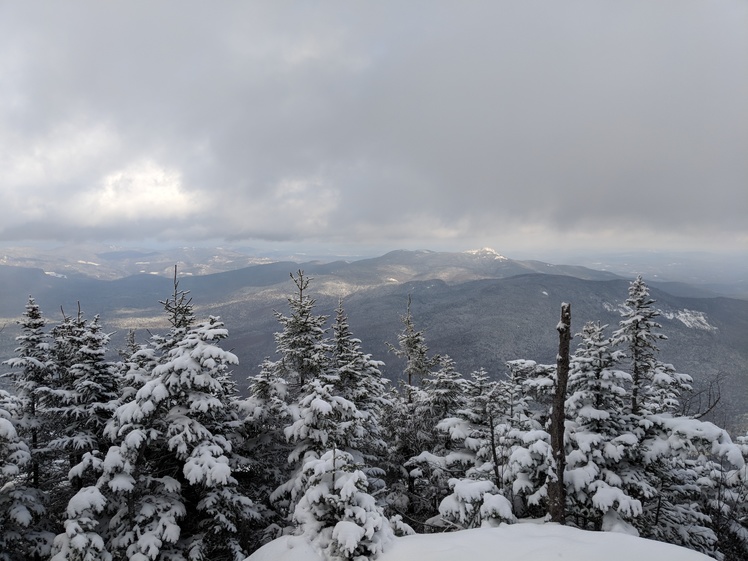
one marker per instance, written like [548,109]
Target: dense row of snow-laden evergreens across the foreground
[156,455]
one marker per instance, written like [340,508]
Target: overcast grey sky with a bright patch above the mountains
[405,124]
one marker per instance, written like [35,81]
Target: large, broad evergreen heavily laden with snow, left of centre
[168,480]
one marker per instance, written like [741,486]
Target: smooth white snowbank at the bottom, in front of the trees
[516,542]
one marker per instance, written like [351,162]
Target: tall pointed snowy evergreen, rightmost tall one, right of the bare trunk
[668,462]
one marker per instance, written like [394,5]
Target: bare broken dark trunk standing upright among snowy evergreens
[556,488]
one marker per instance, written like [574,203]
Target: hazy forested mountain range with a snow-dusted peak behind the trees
[479,307]
